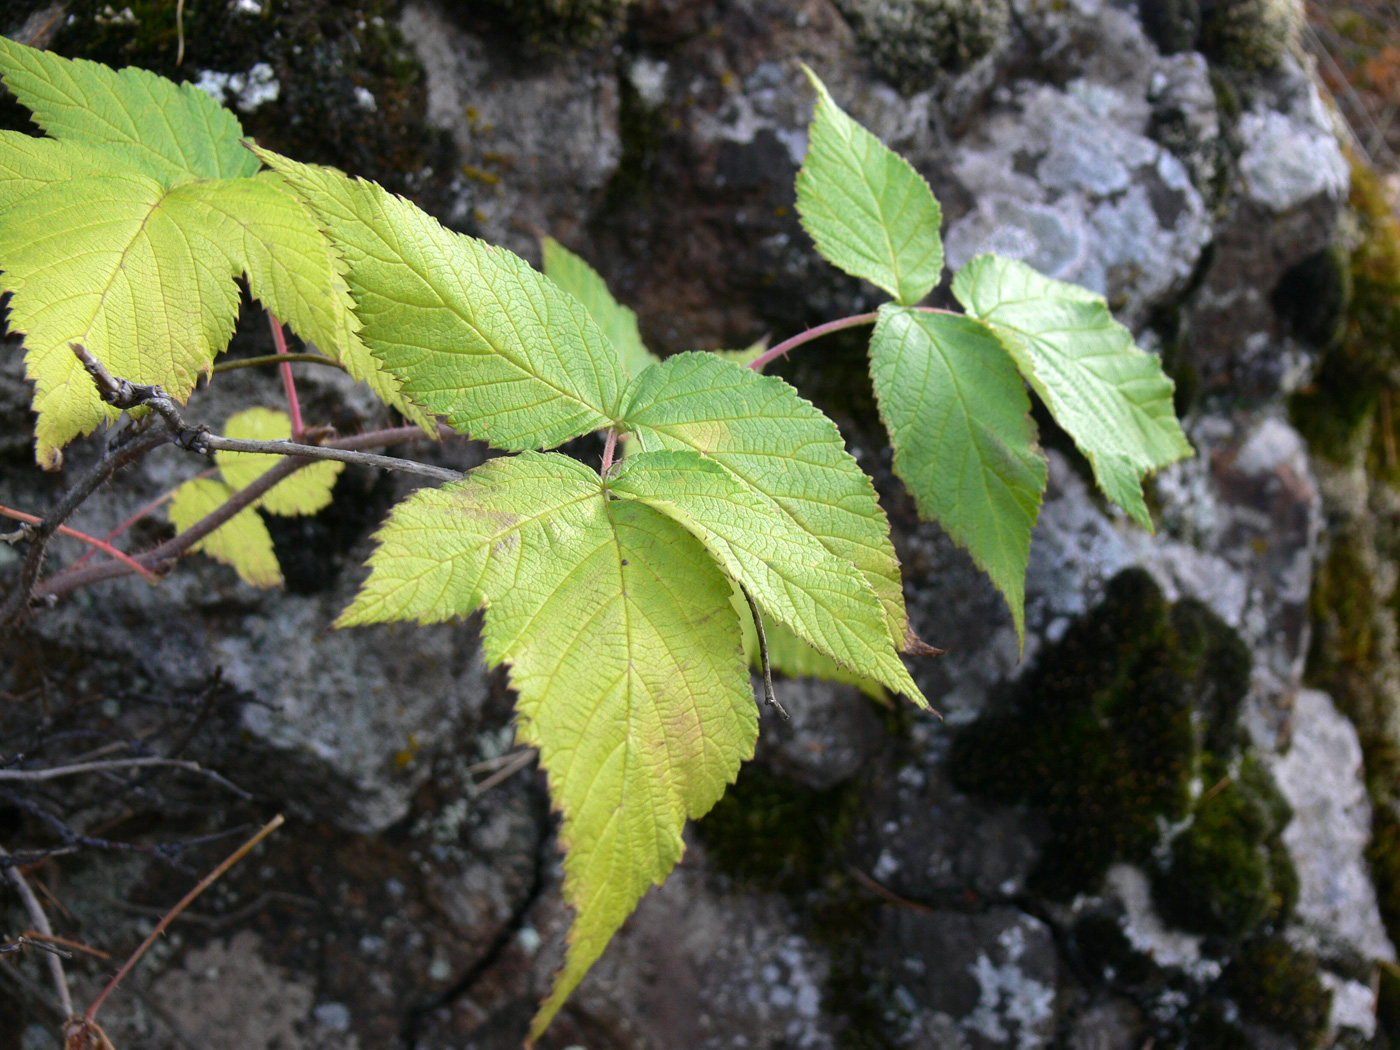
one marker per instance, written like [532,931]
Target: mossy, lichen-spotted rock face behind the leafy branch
[1153,827]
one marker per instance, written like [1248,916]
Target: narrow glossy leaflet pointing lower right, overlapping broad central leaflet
[789,572]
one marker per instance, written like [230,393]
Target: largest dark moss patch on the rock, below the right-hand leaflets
[1102,734]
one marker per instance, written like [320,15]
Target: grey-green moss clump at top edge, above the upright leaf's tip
[912,41]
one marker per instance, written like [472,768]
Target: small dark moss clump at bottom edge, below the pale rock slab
[1280,988]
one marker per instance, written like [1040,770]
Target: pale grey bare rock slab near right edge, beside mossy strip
[1321,778]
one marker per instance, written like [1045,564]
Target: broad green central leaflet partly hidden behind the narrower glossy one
[765,435]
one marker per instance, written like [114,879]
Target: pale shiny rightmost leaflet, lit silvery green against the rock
[1109,395]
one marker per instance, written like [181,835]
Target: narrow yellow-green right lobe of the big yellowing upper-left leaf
[267,233]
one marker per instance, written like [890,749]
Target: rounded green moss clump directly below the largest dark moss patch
[1228,873]
